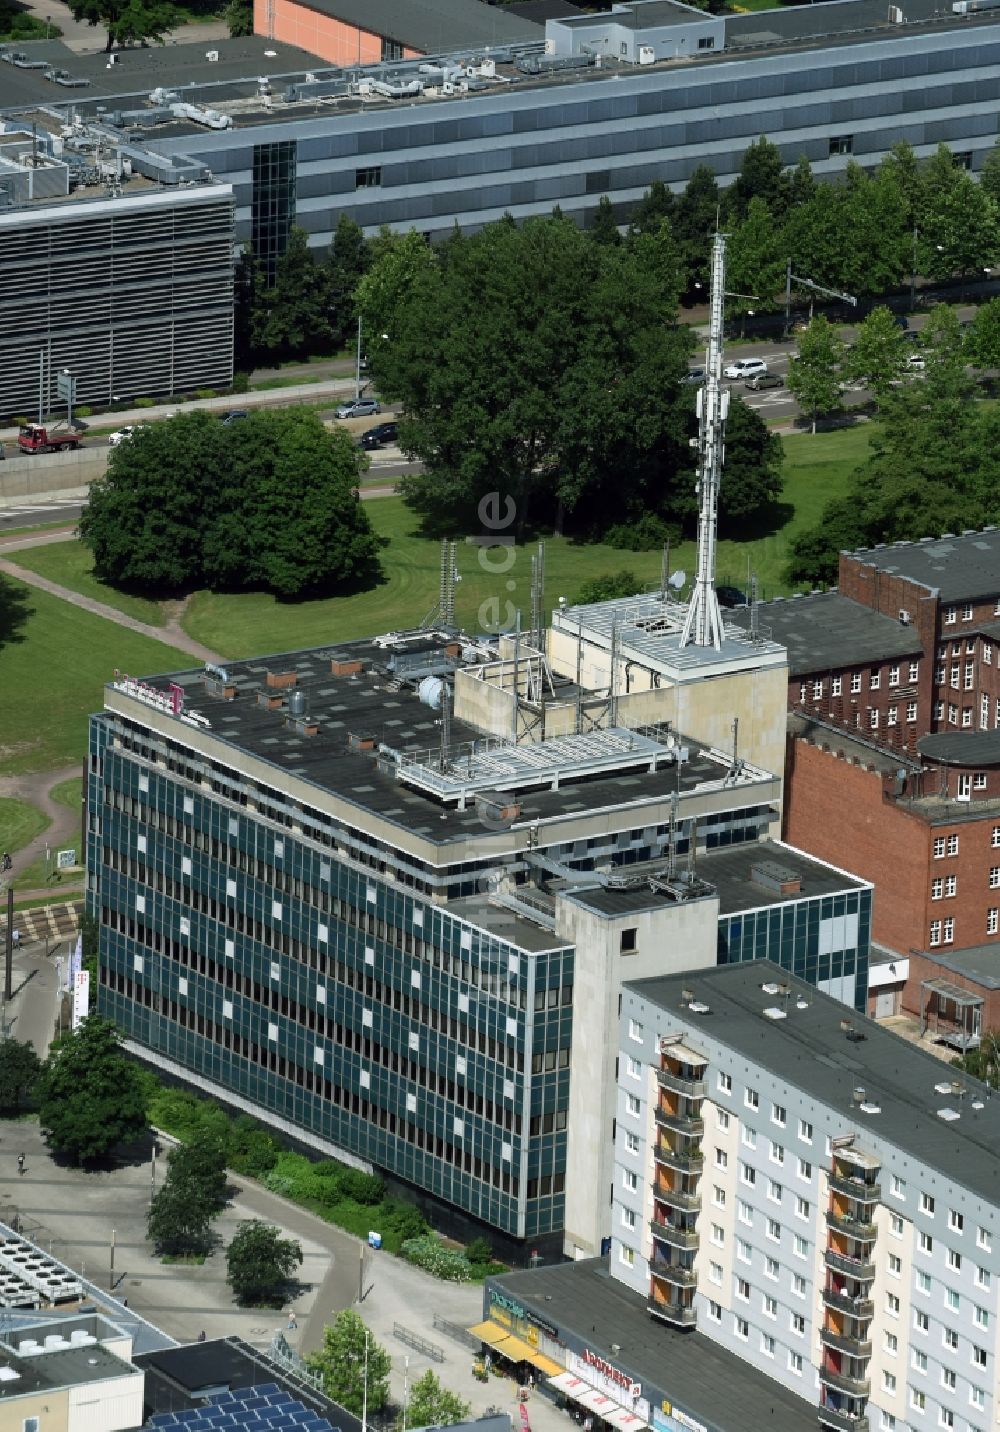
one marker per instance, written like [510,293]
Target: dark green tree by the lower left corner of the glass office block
[91,1096]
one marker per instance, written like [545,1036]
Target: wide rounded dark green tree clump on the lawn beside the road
[266,503]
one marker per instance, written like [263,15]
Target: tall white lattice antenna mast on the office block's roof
[704,622]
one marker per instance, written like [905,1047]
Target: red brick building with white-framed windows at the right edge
[893,767]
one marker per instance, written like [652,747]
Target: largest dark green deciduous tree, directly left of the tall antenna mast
[535,363]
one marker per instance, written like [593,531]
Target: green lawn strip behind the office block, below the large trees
[816,470]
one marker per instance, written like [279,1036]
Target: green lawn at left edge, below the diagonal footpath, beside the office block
[52,678]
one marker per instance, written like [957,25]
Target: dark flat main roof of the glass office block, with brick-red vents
[376,704]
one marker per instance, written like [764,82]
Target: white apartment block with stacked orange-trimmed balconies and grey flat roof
[814,1194]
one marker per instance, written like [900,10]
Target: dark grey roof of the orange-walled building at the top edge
[432,26]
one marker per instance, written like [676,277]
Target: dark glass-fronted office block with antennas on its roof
[336,890]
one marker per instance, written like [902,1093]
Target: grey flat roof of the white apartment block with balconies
[812,1052]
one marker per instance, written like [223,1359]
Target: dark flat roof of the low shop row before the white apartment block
[612,1321]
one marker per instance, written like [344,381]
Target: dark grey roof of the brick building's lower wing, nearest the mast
[826,632]
